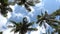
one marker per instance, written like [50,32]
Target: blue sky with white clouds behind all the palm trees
[19,12]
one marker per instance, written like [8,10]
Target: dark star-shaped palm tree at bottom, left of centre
[22,27]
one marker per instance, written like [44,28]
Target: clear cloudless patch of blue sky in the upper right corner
[52,5]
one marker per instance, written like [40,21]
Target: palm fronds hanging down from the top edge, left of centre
[27,3]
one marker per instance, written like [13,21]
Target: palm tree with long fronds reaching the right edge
[50,19]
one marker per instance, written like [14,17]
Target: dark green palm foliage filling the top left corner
[4,7]
